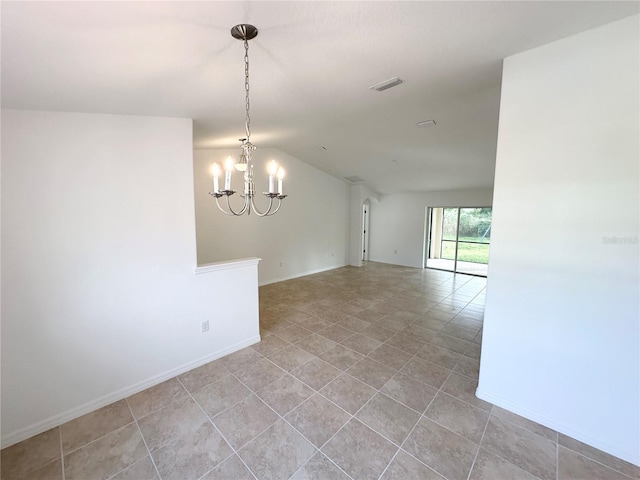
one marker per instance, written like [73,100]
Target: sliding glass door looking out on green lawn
[457,239]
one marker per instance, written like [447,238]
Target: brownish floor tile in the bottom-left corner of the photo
[18,460]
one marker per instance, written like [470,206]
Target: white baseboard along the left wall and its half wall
[73,413]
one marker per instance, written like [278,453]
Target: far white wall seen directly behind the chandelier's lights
[308,234]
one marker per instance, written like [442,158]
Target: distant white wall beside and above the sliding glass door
[397,222]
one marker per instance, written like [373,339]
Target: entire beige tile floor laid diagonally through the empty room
[362,373]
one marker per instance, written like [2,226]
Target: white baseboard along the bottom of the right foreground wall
[558,426]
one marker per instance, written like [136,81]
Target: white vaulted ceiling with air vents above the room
[311,66]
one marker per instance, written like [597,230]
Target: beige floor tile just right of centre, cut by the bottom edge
[359,451]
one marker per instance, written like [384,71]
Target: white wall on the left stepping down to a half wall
[99,296]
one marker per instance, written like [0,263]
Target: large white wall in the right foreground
[561,335]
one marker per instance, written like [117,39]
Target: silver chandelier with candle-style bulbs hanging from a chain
[245,33]
